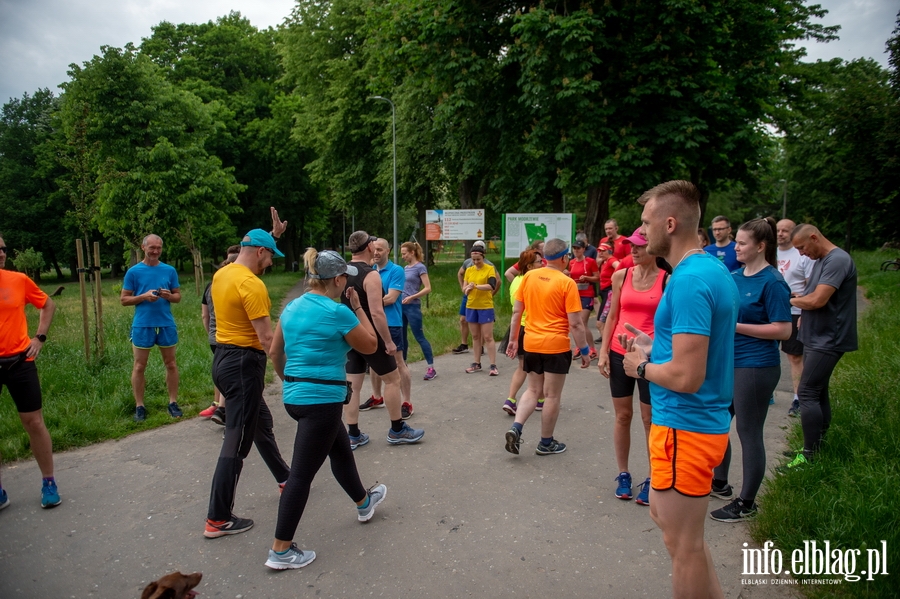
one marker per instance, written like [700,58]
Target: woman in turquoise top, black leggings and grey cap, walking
[309,350]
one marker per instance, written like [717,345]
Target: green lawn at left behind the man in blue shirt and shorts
[87,403]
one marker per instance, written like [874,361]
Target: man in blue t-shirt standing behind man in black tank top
[393,279]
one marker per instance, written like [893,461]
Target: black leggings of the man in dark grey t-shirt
[815,407]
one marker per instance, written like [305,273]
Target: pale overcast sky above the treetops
[40,38]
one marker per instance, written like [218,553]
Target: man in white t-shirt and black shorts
[796,270]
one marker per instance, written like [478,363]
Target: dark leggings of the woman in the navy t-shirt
[752,389]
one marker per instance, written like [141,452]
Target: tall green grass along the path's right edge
[847,495]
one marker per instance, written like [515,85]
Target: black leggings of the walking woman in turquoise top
[320,433]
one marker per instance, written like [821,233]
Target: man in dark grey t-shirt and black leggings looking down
[827,330]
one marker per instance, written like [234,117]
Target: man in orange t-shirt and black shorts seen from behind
[554,310]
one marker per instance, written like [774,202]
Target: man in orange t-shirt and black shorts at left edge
[18,371]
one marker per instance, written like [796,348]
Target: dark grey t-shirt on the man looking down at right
[832,327]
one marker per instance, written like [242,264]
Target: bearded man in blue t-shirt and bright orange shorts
[690,367]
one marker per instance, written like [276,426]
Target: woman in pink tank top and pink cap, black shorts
[635,296]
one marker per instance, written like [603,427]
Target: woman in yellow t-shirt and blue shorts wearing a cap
[479,282]
